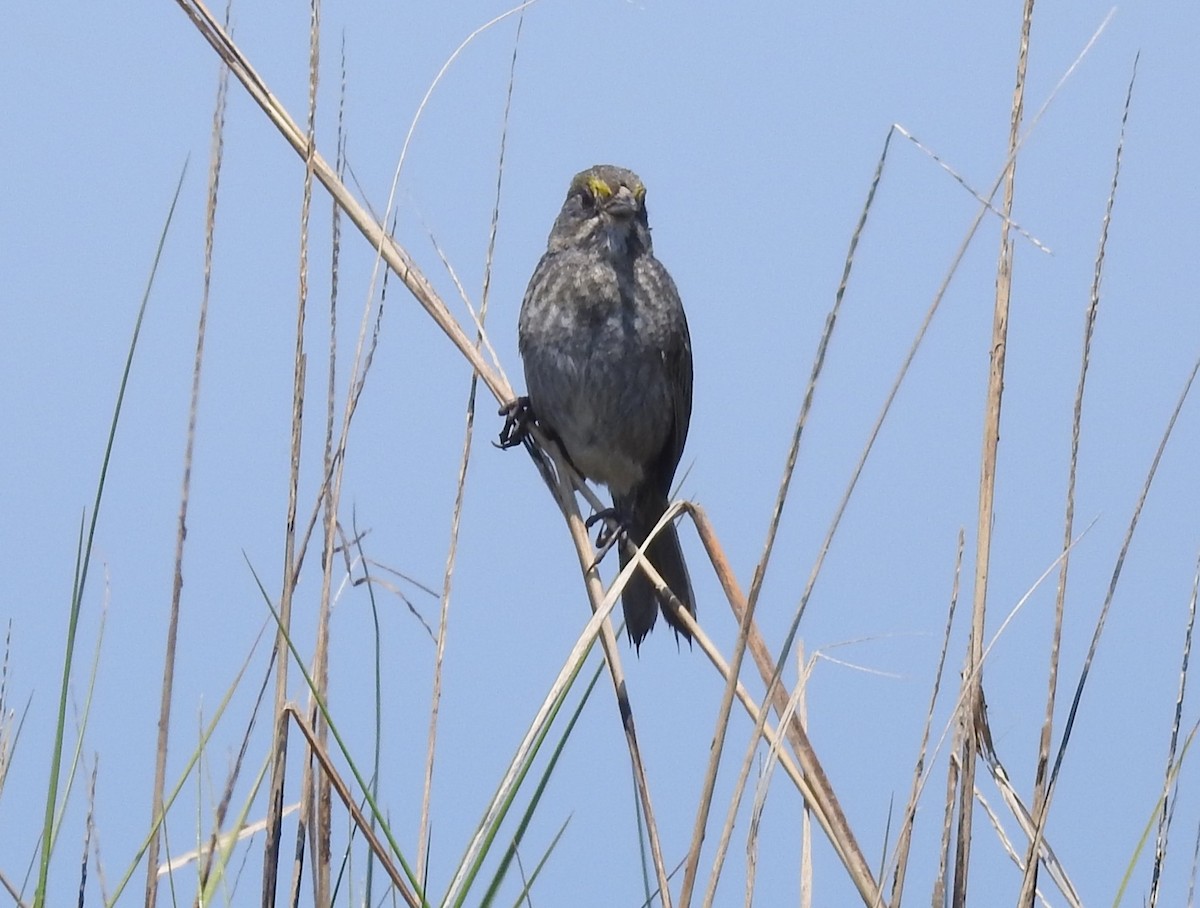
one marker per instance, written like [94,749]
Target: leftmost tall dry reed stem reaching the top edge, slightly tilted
[169,681]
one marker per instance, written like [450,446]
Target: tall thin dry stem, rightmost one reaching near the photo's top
[1040,789]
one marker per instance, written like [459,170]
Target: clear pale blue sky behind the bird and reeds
[757,130]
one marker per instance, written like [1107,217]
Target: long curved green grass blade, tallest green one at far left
[85,561]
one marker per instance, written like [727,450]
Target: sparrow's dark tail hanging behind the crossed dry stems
[640,602]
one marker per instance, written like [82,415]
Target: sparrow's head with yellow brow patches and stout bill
[605,211]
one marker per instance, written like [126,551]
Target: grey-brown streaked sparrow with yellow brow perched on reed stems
[608,365]
